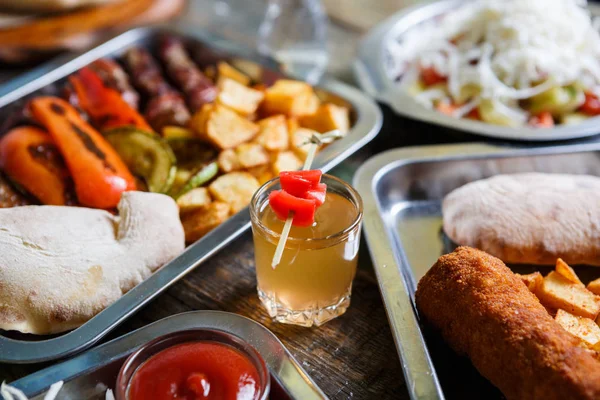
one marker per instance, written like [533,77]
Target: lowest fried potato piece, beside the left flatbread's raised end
[199,222]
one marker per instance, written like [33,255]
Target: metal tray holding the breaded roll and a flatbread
[402,191]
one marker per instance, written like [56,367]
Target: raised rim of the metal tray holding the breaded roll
[389,259]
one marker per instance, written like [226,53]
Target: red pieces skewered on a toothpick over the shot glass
[301,193]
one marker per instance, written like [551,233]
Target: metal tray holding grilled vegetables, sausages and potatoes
[367,120]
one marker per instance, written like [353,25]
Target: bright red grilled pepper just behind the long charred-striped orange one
[104,105]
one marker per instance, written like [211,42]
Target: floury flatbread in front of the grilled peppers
[60,266]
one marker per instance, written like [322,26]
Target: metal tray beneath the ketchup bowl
[88,375]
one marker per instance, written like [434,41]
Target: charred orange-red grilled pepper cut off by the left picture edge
[30,158]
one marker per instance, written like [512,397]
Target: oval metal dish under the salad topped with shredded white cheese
[371,71]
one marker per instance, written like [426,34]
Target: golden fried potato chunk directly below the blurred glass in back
[292,98]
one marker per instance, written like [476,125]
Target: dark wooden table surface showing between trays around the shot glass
[352,356]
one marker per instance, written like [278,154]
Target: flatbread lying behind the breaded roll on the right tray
[530,218]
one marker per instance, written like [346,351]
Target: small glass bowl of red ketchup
[193,365]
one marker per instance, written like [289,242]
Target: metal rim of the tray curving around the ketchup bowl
[279,360]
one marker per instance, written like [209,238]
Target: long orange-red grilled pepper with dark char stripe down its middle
[99,174]
